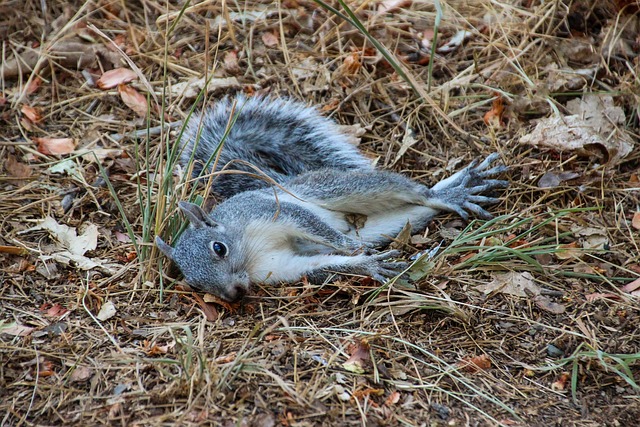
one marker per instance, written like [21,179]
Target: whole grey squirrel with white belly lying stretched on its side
[327,212]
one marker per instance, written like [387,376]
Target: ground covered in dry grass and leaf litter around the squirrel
[530,319]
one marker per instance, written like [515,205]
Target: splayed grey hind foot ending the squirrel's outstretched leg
[461,192]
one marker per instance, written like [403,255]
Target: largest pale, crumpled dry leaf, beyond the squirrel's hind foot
[594,128]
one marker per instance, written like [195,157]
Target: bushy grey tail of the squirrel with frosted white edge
[281,138]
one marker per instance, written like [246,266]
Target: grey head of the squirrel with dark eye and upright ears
[205,254]
